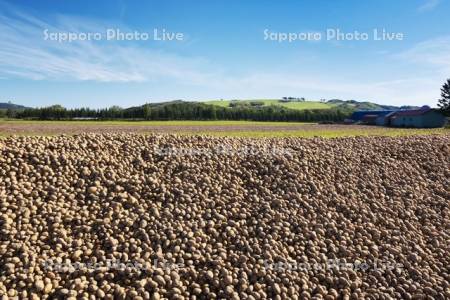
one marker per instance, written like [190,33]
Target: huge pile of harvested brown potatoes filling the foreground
[147,217]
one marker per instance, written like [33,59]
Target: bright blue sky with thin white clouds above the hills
[223,53]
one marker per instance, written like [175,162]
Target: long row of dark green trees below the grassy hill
[180,110]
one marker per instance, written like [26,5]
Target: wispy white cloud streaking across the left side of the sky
[24,53]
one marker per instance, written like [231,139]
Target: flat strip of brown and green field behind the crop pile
[256,129]
